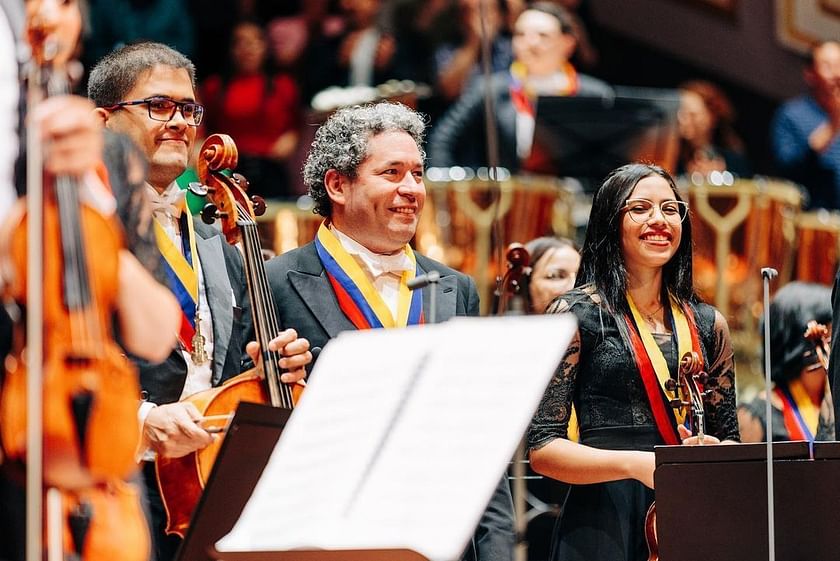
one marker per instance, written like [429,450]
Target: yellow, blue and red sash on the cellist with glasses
[182,276]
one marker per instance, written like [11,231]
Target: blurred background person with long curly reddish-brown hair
[708,141]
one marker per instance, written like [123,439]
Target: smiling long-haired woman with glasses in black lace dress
[637,315]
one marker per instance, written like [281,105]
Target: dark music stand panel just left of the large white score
[247,446]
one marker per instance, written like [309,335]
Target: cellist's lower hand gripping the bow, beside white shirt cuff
[172,430]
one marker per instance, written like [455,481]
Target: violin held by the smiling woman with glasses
[691,390]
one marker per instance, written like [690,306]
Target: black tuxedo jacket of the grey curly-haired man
[306,302]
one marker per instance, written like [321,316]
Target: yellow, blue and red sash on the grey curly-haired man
[357,297]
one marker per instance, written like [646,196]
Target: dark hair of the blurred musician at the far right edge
[792,307]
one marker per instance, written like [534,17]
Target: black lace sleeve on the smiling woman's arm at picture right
[721,411]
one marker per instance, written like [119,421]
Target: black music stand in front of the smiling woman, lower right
[711,501]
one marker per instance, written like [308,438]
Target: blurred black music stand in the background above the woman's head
[587,137]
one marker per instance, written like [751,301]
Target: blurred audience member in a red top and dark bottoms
[258,107]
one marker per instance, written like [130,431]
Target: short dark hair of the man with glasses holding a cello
[117,72]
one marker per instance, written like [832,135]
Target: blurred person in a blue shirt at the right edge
[804,131]
